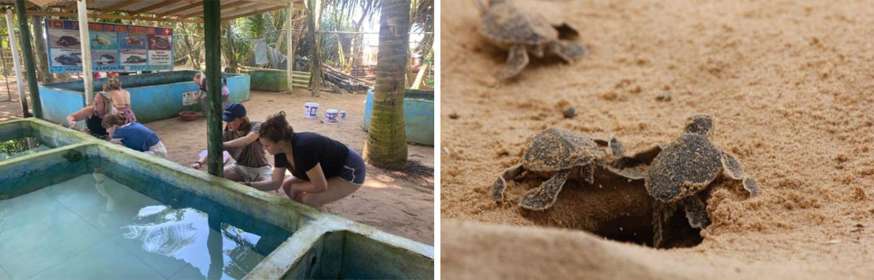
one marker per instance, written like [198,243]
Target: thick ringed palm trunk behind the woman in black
[386,145]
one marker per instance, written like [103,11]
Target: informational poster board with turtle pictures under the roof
[114,47]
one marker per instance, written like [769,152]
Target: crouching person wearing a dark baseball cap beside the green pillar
[240,138]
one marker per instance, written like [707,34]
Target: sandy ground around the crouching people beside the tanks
[397,202]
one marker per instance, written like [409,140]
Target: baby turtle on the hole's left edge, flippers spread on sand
[559,155]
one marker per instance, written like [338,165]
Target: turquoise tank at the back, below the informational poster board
[154,96]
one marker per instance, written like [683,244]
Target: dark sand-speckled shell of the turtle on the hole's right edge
[683,168]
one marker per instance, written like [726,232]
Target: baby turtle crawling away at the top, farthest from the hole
[508,27]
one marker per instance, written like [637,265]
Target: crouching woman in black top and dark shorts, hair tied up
[324,169]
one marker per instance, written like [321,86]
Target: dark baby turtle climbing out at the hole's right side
[682,170]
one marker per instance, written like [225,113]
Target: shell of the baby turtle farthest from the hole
[507,25]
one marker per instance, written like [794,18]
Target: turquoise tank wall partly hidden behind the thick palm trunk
[418,115]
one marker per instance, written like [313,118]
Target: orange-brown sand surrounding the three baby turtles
[790,84]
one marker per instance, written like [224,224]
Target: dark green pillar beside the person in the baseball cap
[212,41]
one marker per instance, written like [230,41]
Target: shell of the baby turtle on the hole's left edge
[557,149]
